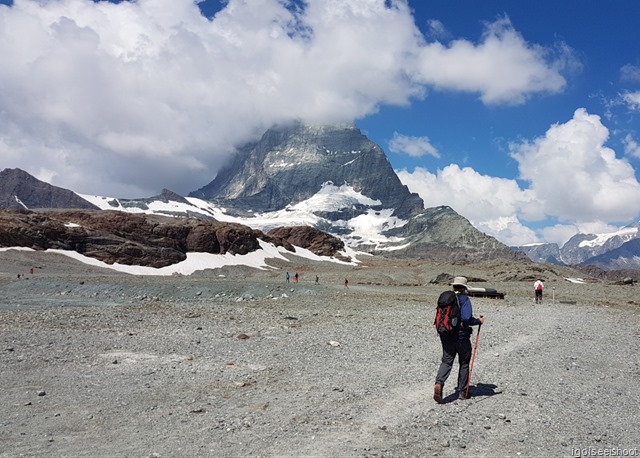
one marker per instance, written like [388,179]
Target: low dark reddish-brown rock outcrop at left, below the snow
[147,240]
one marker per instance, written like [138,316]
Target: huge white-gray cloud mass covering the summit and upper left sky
[125,99]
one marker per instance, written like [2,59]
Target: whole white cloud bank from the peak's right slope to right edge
[571,177]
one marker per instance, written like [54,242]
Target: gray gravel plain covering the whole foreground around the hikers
[238,363]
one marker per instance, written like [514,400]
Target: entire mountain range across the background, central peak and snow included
[332,178]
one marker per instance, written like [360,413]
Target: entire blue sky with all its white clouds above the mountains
[522,116]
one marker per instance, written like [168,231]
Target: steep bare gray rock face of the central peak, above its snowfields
[291,164]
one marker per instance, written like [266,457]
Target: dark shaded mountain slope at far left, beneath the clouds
[19,190]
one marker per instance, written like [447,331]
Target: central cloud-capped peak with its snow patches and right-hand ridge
[345,185]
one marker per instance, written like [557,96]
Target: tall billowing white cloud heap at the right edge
[575,176]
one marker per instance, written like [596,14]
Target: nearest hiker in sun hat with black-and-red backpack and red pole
[454,323]
